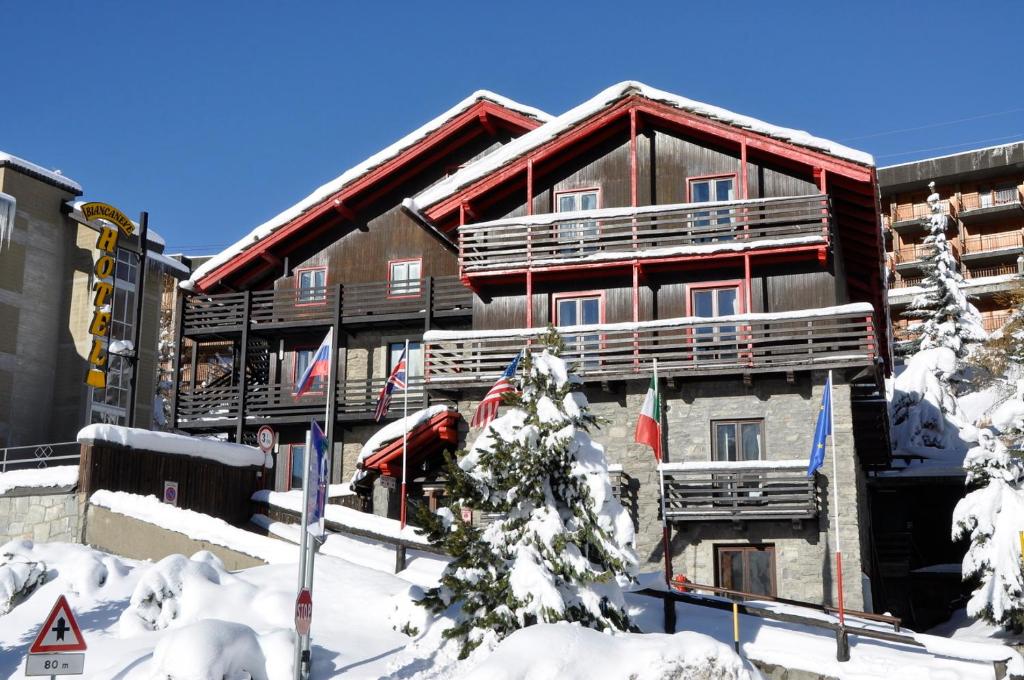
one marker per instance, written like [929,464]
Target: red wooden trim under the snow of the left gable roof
[510,119]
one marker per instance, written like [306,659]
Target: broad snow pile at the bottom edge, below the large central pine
[588,655]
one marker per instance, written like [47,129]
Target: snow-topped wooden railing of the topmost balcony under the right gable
[669,231]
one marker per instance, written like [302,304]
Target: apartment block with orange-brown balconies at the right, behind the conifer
[982,192]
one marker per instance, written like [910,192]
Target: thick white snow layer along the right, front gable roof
[556,127]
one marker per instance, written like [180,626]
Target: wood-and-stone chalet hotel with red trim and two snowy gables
[745,258]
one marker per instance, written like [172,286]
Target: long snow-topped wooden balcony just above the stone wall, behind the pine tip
[804,341]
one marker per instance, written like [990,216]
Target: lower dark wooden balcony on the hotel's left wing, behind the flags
[221,408]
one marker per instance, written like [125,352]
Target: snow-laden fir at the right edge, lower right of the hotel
[993,517]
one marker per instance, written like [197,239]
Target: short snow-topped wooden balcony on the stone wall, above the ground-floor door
[740,492]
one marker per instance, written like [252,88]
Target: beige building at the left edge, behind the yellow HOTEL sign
[48,275]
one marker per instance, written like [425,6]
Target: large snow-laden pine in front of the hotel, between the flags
[562,543]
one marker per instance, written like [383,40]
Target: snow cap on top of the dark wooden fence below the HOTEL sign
[227,453]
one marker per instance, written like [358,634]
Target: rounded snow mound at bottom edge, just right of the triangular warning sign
[210,650]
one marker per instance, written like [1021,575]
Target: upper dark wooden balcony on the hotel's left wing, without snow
[212,316]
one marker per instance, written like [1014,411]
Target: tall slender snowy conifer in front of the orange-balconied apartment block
[947,318]
